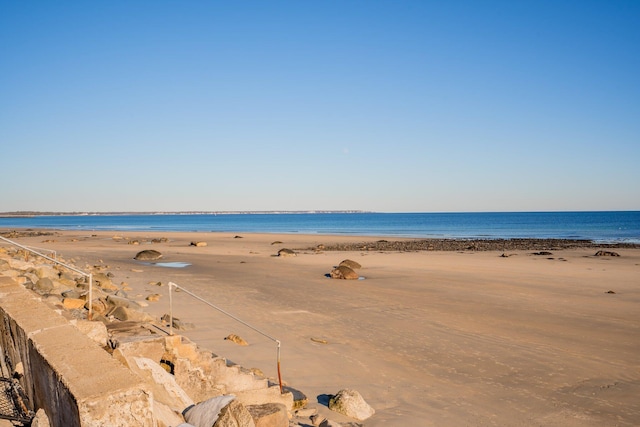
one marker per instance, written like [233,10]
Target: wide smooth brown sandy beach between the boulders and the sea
[428,338]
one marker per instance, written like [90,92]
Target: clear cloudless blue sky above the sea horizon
[295,105]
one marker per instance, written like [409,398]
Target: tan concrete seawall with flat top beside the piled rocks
[68,375]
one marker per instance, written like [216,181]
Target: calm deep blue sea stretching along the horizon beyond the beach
[619,226]
